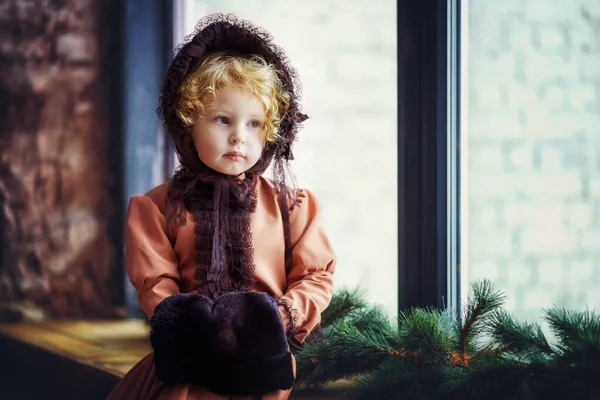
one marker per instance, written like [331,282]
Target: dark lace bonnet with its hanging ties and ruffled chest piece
[221,204]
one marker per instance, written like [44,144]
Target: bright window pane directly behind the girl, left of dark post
[345,53]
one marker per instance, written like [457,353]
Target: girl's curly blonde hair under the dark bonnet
[222,70]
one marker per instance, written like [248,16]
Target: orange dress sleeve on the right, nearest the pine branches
[310,277]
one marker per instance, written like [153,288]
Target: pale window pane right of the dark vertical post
[532,136]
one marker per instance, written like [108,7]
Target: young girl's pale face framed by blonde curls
[230,136]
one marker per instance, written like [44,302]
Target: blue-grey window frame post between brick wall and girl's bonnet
[147,38]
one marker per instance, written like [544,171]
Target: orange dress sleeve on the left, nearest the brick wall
[151,263]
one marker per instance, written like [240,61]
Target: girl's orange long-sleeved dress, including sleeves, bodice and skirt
[160,263]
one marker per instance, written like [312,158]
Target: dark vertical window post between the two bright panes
[428,153]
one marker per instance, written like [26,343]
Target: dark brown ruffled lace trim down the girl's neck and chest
[221,208]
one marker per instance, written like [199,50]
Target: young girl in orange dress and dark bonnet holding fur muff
[230,267]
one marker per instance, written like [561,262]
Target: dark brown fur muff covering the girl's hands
[235,345]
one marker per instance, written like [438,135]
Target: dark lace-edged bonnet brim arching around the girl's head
[226,32]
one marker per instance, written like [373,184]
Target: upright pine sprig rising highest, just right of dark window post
[480,306]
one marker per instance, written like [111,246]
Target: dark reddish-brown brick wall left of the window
[60,159]
